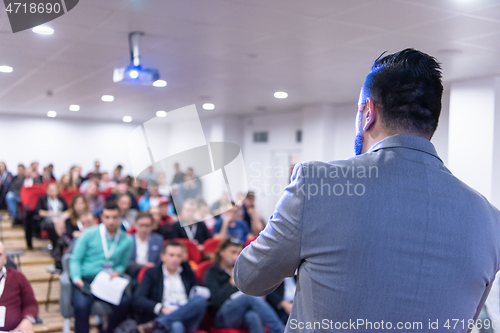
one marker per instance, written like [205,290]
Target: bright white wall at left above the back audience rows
[64,143]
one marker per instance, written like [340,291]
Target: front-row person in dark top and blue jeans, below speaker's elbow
[230,307]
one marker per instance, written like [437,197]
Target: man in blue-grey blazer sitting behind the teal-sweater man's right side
[147,245]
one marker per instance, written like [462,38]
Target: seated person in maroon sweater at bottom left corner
[17,300]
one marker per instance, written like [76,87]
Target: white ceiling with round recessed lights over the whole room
[235,53]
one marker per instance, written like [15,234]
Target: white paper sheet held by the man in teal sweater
[108,290]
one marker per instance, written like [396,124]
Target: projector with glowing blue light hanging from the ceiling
[135,73]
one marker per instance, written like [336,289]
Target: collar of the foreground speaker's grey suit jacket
[406,141]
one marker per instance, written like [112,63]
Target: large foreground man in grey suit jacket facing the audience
[417,245]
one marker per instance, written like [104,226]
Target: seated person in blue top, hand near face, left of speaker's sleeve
[230,226]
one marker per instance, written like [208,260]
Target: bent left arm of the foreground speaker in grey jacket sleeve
[275,254]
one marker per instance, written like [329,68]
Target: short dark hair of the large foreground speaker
[406,86]
